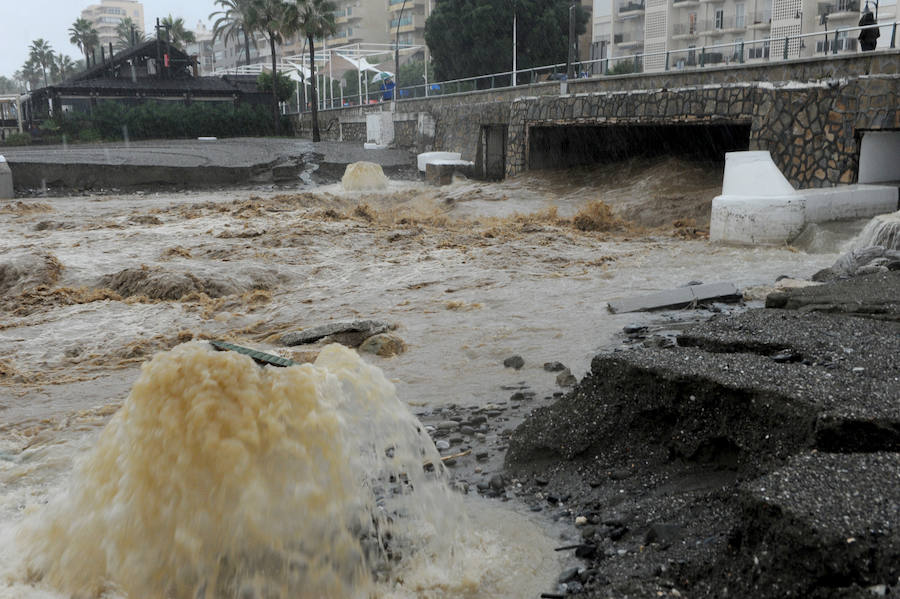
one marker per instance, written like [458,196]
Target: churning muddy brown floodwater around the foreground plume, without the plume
[471,274]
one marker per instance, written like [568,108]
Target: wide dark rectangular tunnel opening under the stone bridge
[566,146]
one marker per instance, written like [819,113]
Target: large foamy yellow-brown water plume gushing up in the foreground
[219,478]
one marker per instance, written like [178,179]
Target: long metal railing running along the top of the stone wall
[770,49]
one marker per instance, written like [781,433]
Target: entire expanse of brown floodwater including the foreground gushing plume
[92,287]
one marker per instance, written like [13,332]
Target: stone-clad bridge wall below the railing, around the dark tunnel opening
[811,129]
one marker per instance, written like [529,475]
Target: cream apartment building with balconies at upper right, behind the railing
[672,34]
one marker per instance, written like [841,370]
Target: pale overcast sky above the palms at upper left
[22,22]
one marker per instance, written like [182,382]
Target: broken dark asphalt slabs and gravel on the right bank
[757,455]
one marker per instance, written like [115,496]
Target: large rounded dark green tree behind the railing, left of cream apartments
[474,37]
